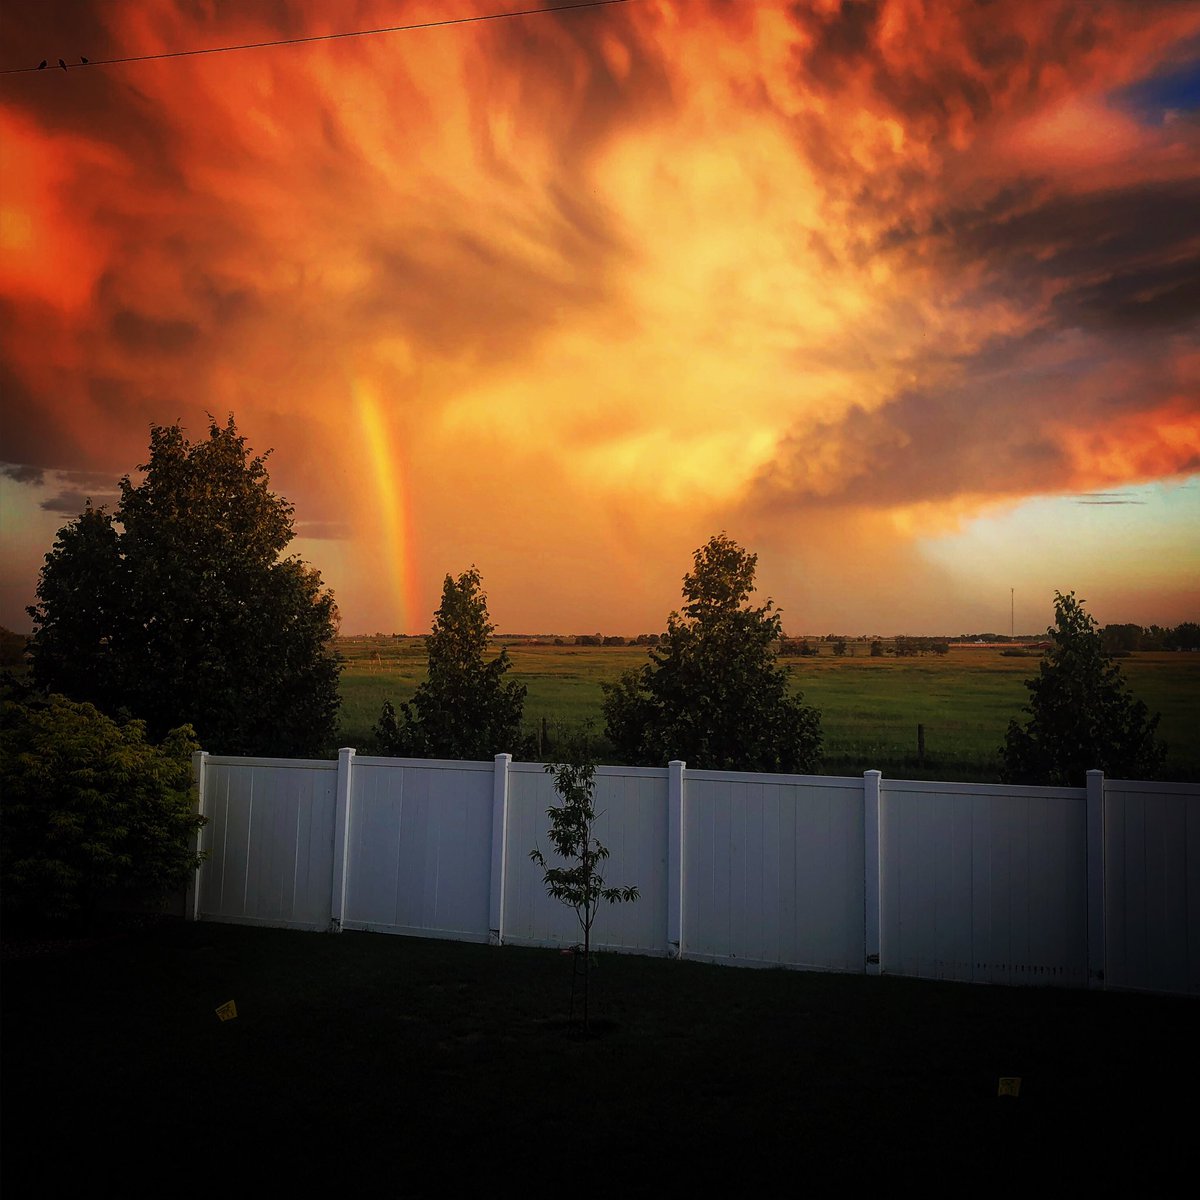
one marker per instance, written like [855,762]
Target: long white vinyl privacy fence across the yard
[987,884]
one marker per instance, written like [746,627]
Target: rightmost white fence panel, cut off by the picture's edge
[1153,886]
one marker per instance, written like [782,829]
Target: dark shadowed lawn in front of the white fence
[416,1066]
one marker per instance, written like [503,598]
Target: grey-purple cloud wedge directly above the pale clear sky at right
[997,431]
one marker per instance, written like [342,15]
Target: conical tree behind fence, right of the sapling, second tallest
[713,693]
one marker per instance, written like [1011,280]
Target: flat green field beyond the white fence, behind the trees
[871,707]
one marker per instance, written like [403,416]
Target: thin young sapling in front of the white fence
[579,884]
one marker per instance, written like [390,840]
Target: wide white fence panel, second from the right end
[985,884]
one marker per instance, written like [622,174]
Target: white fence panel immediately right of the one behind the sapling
[773,871]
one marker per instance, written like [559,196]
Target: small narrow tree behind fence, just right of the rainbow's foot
[465,709]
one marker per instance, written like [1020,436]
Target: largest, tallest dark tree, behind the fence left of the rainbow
[182,607]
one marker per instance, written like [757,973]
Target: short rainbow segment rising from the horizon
[394,508]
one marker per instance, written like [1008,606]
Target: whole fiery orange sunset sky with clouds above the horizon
[901,296]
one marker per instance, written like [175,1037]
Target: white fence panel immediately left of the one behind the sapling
[419,841]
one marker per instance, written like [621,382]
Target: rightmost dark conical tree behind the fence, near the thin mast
[1082,715]
